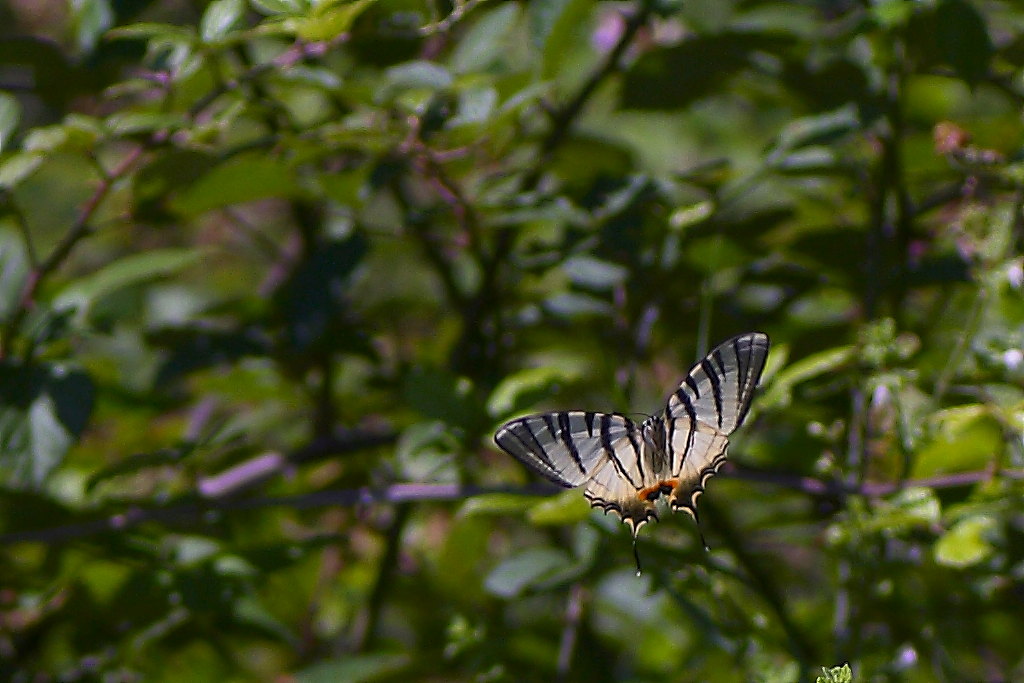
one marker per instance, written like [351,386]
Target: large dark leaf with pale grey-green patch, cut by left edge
[44,411]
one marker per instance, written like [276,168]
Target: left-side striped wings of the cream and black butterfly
[604,451]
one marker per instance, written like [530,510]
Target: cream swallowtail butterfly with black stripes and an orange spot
[626,466]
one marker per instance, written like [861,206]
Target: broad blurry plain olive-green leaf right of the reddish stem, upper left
[243,179]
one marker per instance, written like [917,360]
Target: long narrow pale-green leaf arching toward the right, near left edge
[86,292]
